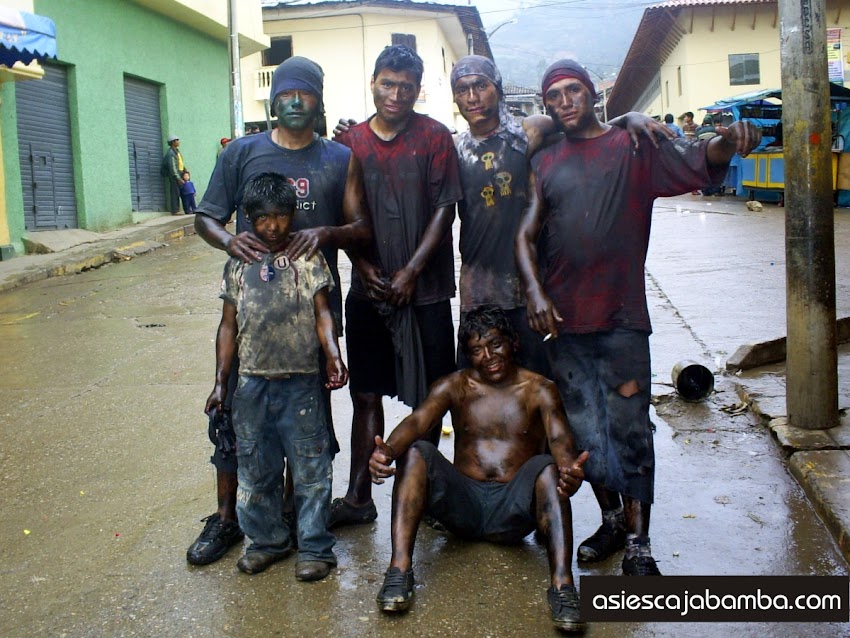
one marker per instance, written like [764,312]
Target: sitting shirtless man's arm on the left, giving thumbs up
[429,413]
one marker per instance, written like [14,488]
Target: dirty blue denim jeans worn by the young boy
[276,419]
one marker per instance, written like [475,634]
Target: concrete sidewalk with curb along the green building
[119,245]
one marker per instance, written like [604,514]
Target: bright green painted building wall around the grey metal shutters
[104,40]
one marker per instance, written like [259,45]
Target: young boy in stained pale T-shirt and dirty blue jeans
[276,313]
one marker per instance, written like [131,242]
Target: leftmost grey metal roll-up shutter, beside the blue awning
[44,151]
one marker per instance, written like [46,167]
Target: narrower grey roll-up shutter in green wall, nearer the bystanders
[144,144]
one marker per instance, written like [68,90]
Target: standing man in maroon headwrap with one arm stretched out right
[581,251]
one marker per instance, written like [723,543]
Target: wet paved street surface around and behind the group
[104,462]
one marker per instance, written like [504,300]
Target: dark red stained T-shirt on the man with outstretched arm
[599,194]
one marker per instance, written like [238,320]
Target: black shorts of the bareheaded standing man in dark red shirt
[371,356]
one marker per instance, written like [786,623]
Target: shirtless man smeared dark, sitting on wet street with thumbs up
[503,485]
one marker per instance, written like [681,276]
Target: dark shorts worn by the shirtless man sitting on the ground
[480,510]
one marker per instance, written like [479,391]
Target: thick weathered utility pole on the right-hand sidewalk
[811,363]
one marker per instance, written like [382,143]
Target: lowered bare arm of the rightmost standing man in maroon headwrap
[542,315]
